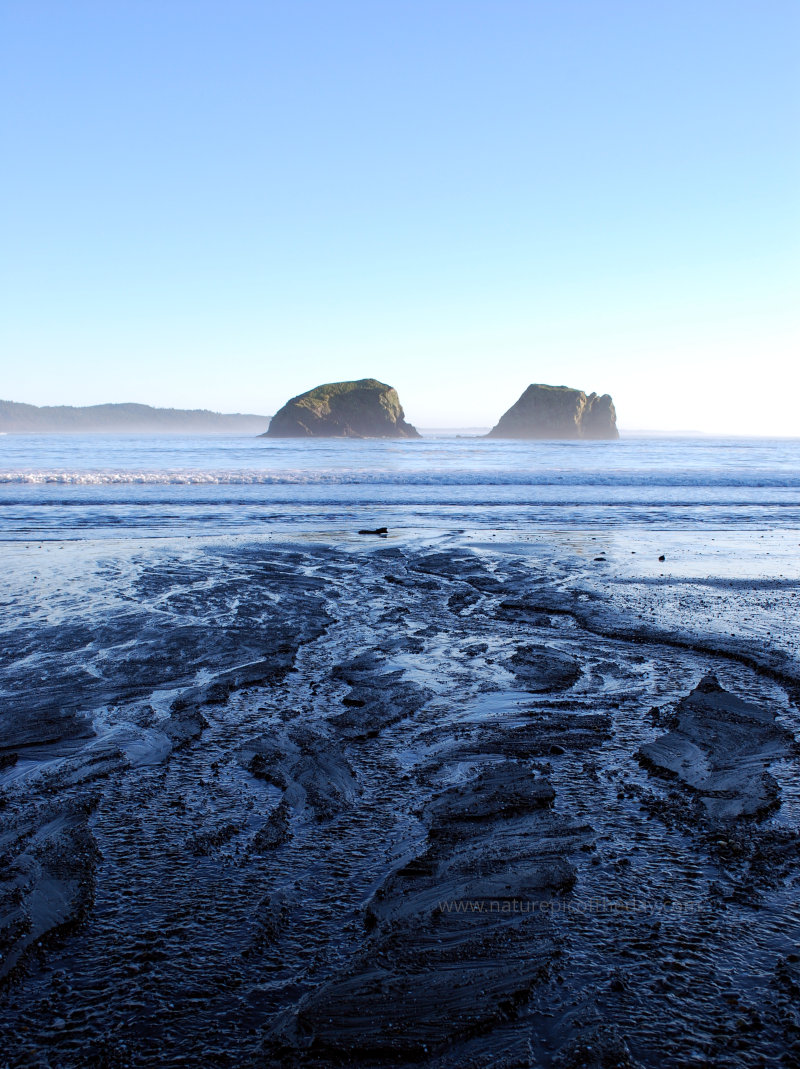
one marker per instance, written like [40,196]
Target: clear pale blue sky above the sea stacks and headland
[222,205]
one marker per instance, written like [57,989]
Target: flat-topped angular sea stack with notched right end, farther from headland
[559,412]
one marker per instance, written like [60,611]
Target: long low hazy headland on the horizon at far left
[122,420]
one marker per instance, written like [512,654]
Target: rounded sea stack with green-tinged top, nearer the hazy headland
[365,409]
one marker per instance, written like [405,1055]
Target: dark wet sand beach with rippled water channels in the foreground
[459,801]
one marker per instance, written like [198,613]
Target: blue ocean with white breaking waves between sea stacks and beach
[78,487]
